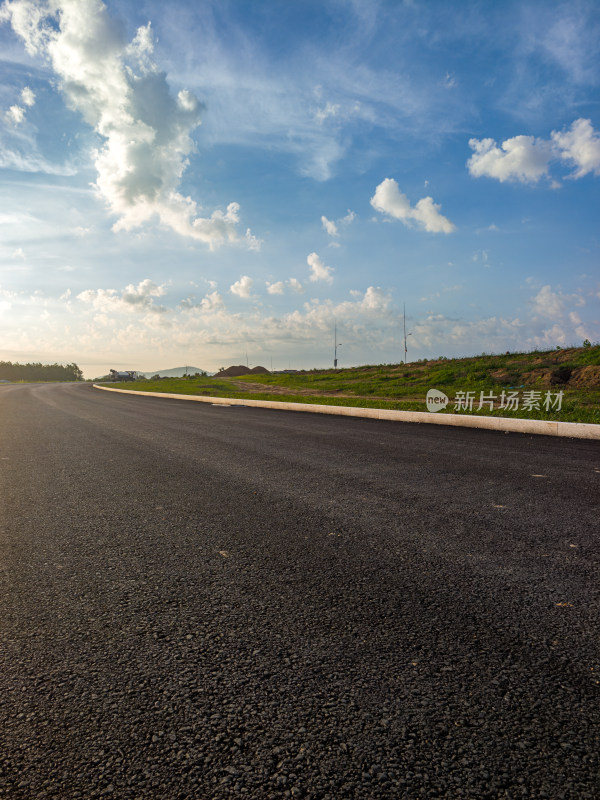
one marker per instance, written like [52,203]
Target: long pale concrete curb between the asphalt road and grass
[576,430]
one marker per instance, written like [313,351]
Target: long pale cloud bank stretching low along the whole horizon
[101,323]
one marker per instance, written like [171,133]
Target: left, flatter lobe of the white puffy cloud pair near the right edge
[522,158]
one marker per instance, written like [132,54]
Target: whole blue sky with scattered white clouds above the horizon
[208,182]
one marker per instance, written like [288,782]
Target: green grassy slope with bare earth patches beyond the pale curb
[404,387]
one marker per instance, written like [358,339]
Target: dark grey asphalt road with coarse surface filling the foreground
[204,602]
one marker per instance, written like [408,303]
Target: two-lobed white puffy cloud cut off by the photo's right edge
[527,159]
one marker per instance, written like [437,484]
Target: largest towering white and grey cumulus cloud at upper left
[125,98]
